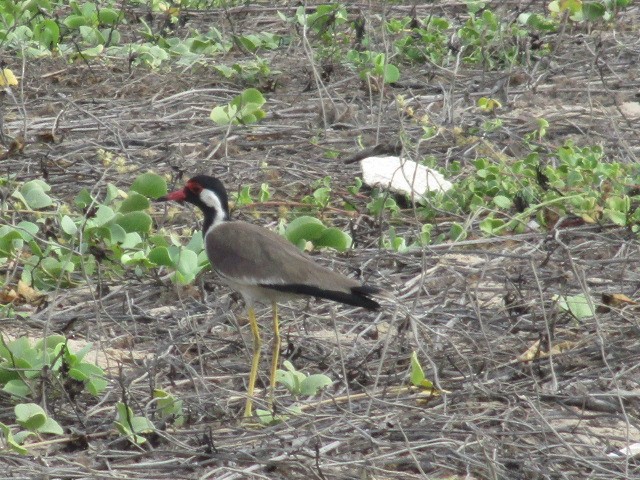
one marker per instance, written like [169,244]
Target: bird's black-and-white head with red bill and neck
[208,194]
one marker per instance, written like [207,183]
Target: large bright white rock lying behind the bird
[402,176]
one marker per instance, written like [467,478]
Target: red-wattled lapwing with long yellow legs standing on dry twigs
[263,267]
